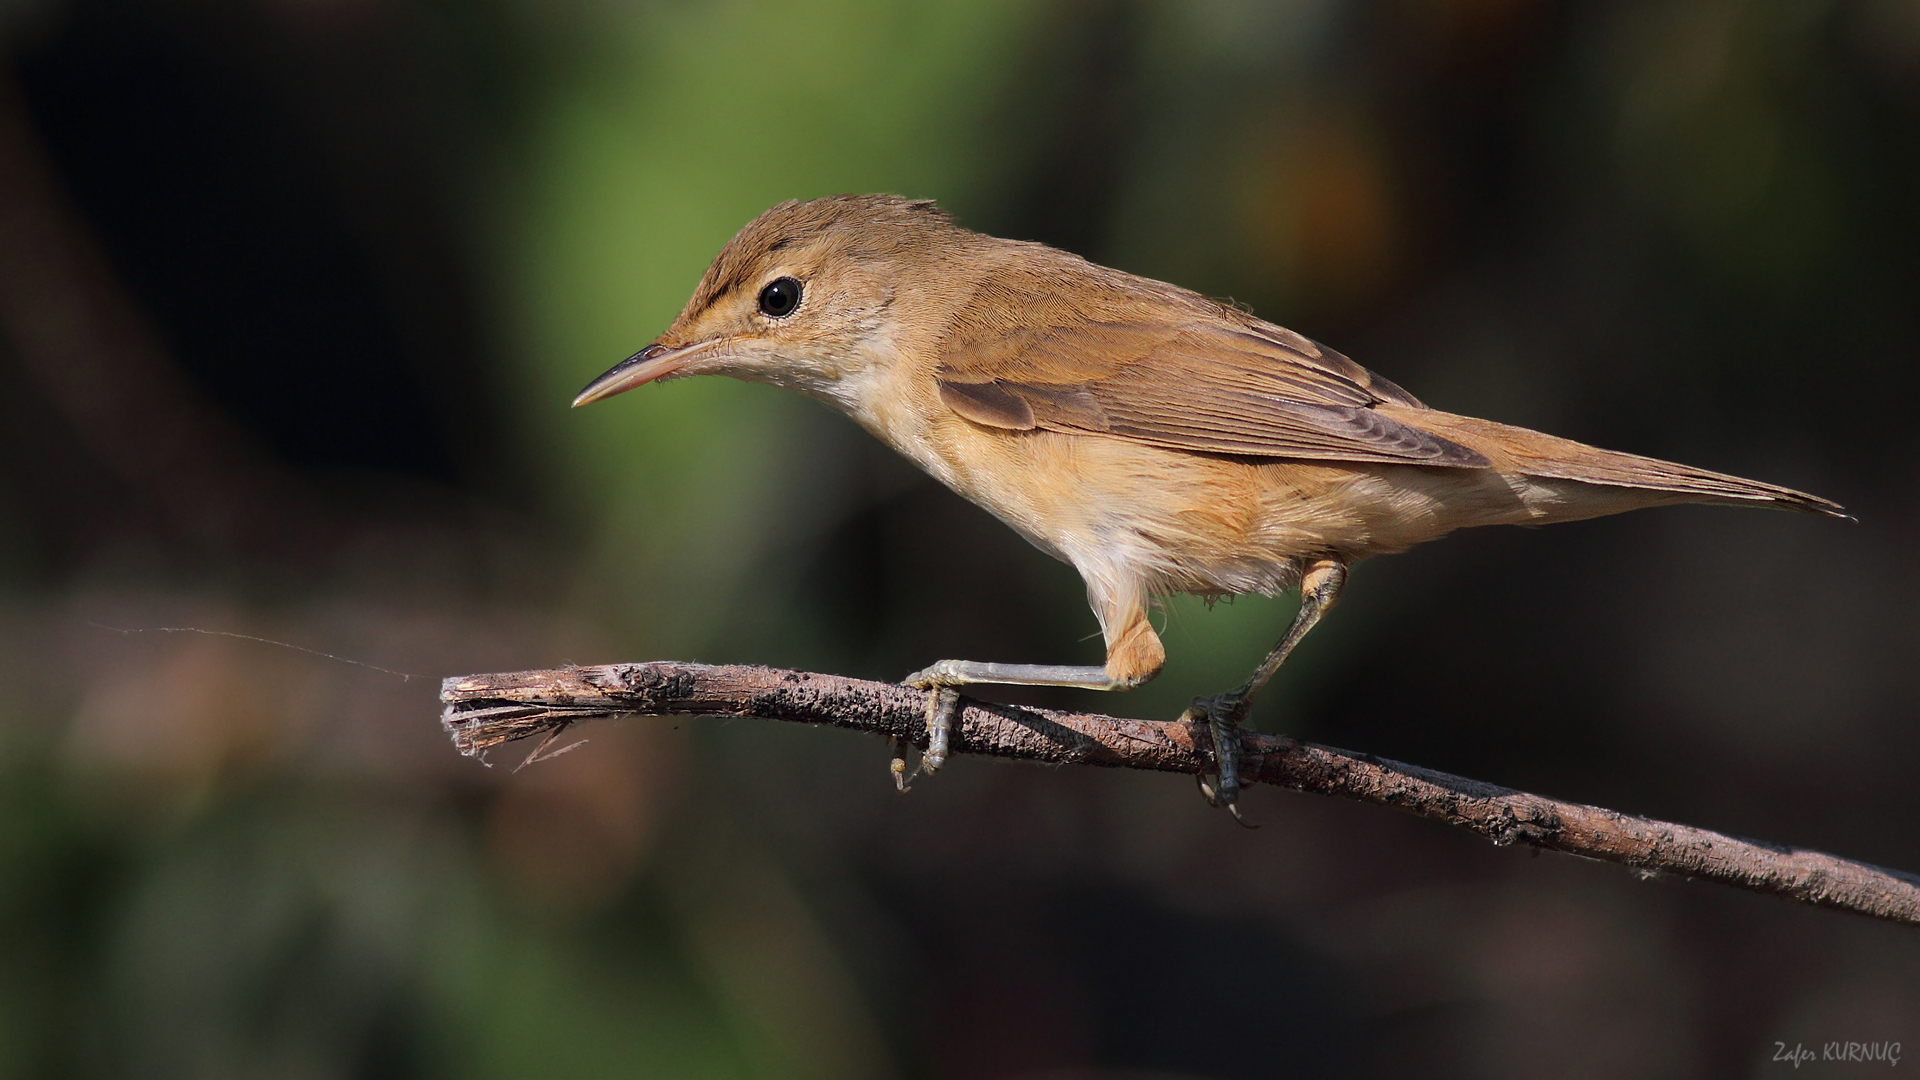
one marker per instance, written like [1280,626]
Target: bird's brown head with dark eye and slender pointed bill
[800,299]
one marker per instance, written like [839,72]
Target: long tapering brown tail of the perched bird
[1535,454]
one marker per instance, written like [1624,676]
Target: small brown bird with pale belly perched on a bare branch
[1149,437]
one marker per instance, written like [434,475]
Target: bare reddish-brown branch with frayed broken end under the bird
[489,710]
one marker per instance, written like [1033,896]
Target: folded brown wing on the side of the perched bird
[1189,383]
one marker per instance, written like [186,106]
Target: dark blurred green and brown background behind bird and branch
[293,301]
